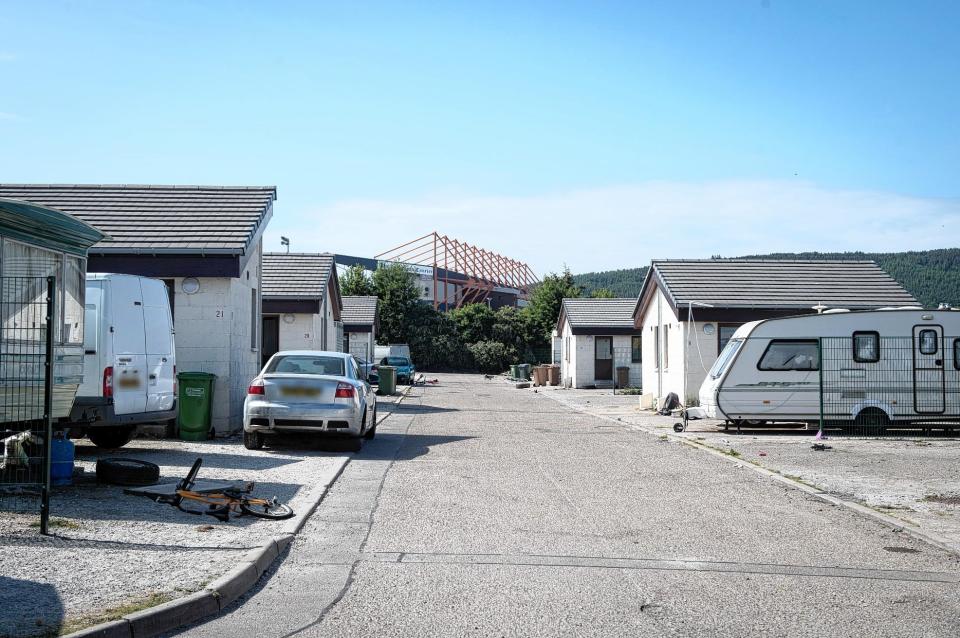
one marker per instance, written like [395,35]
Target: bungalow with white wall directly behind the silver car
[301,303]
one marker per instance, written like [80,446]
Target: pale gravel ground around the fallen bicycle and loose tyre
[109,549]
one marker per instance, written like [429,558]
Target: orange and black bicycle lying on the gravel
[214,498]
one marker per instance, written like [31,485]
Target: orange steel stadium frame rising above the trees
[476,271]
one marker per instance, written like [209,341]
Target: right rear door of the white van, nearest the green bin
[158,325]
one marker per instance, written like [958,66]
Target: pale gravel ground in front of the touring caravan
[916,480]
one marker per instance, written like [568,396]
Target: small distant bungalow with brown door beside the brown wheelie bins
[597,336]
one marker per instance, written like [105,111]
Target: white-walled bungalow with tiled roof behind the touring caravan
[687,310]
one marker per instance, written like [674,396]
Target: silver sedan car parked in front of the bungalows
[309,391]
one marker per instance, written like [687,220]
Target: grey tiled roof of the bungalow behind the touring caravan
[755,283]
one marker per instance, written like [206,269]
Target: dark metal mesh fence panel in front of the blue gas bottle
[26,392]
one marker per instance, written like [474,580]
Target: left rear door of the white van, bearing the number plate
[129,348]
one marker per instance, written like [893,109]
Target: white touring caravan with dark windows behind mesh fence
[883,367]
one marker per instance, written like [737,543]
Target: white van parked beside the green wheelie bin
[129,365]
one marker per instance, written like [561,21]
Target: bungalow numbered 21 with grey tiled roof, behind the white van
[205,243]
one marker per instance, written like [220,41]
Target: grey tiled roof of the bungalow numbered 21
[171,219]
